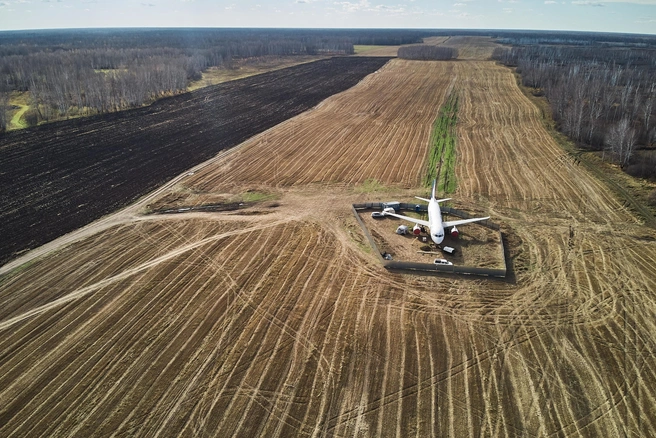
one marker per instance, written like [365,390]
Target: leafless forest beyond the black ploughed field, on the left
[84,72]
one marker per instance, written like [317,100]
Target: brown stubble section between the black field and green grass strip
[377,129]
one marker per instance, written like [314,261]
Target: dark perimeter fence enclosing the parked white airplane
[421,268]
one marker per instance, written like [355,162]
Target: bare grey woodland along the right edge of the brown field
[604,98]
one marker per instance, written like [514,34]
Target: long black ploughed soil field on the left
[58,177]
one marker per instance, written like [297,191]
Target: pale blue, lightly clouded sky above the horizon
[626,16]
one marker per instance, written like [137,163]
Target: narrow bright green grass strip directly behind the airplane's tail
[442,150]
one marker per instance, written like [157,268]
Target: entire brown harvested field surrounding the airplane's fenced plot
[278,319]
